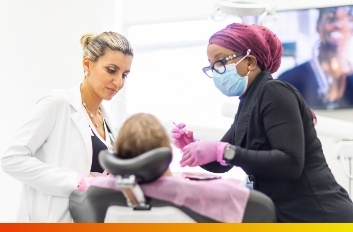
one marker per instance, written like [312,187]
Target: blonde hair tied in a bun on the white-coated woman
[94,46]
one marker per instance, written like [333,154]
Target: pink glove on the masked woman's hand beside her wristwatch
[203,152]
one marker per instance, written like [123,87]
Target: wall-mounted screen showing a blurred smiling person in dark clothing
[318,54]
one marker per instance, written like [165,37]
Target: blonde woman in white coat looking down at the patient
[58,144]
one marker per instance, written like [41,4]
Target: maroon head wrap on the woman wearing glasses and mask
[264,44]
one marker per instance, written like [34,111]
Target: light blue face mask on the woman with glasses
[230,83]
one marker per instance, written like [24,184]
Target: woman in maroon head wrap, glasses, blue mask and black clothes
[273,137]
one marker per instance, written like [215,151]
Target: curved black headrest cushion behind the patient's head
[147,167]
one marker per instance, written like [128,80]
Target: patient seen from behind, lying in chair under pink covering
[222,200]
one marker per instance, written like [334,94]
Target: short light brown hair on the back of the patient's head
[140,133]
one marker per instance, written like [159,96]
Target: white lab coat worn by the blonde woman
[48,153]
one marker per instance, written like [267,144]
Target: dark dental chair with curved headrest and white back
[129,204]
